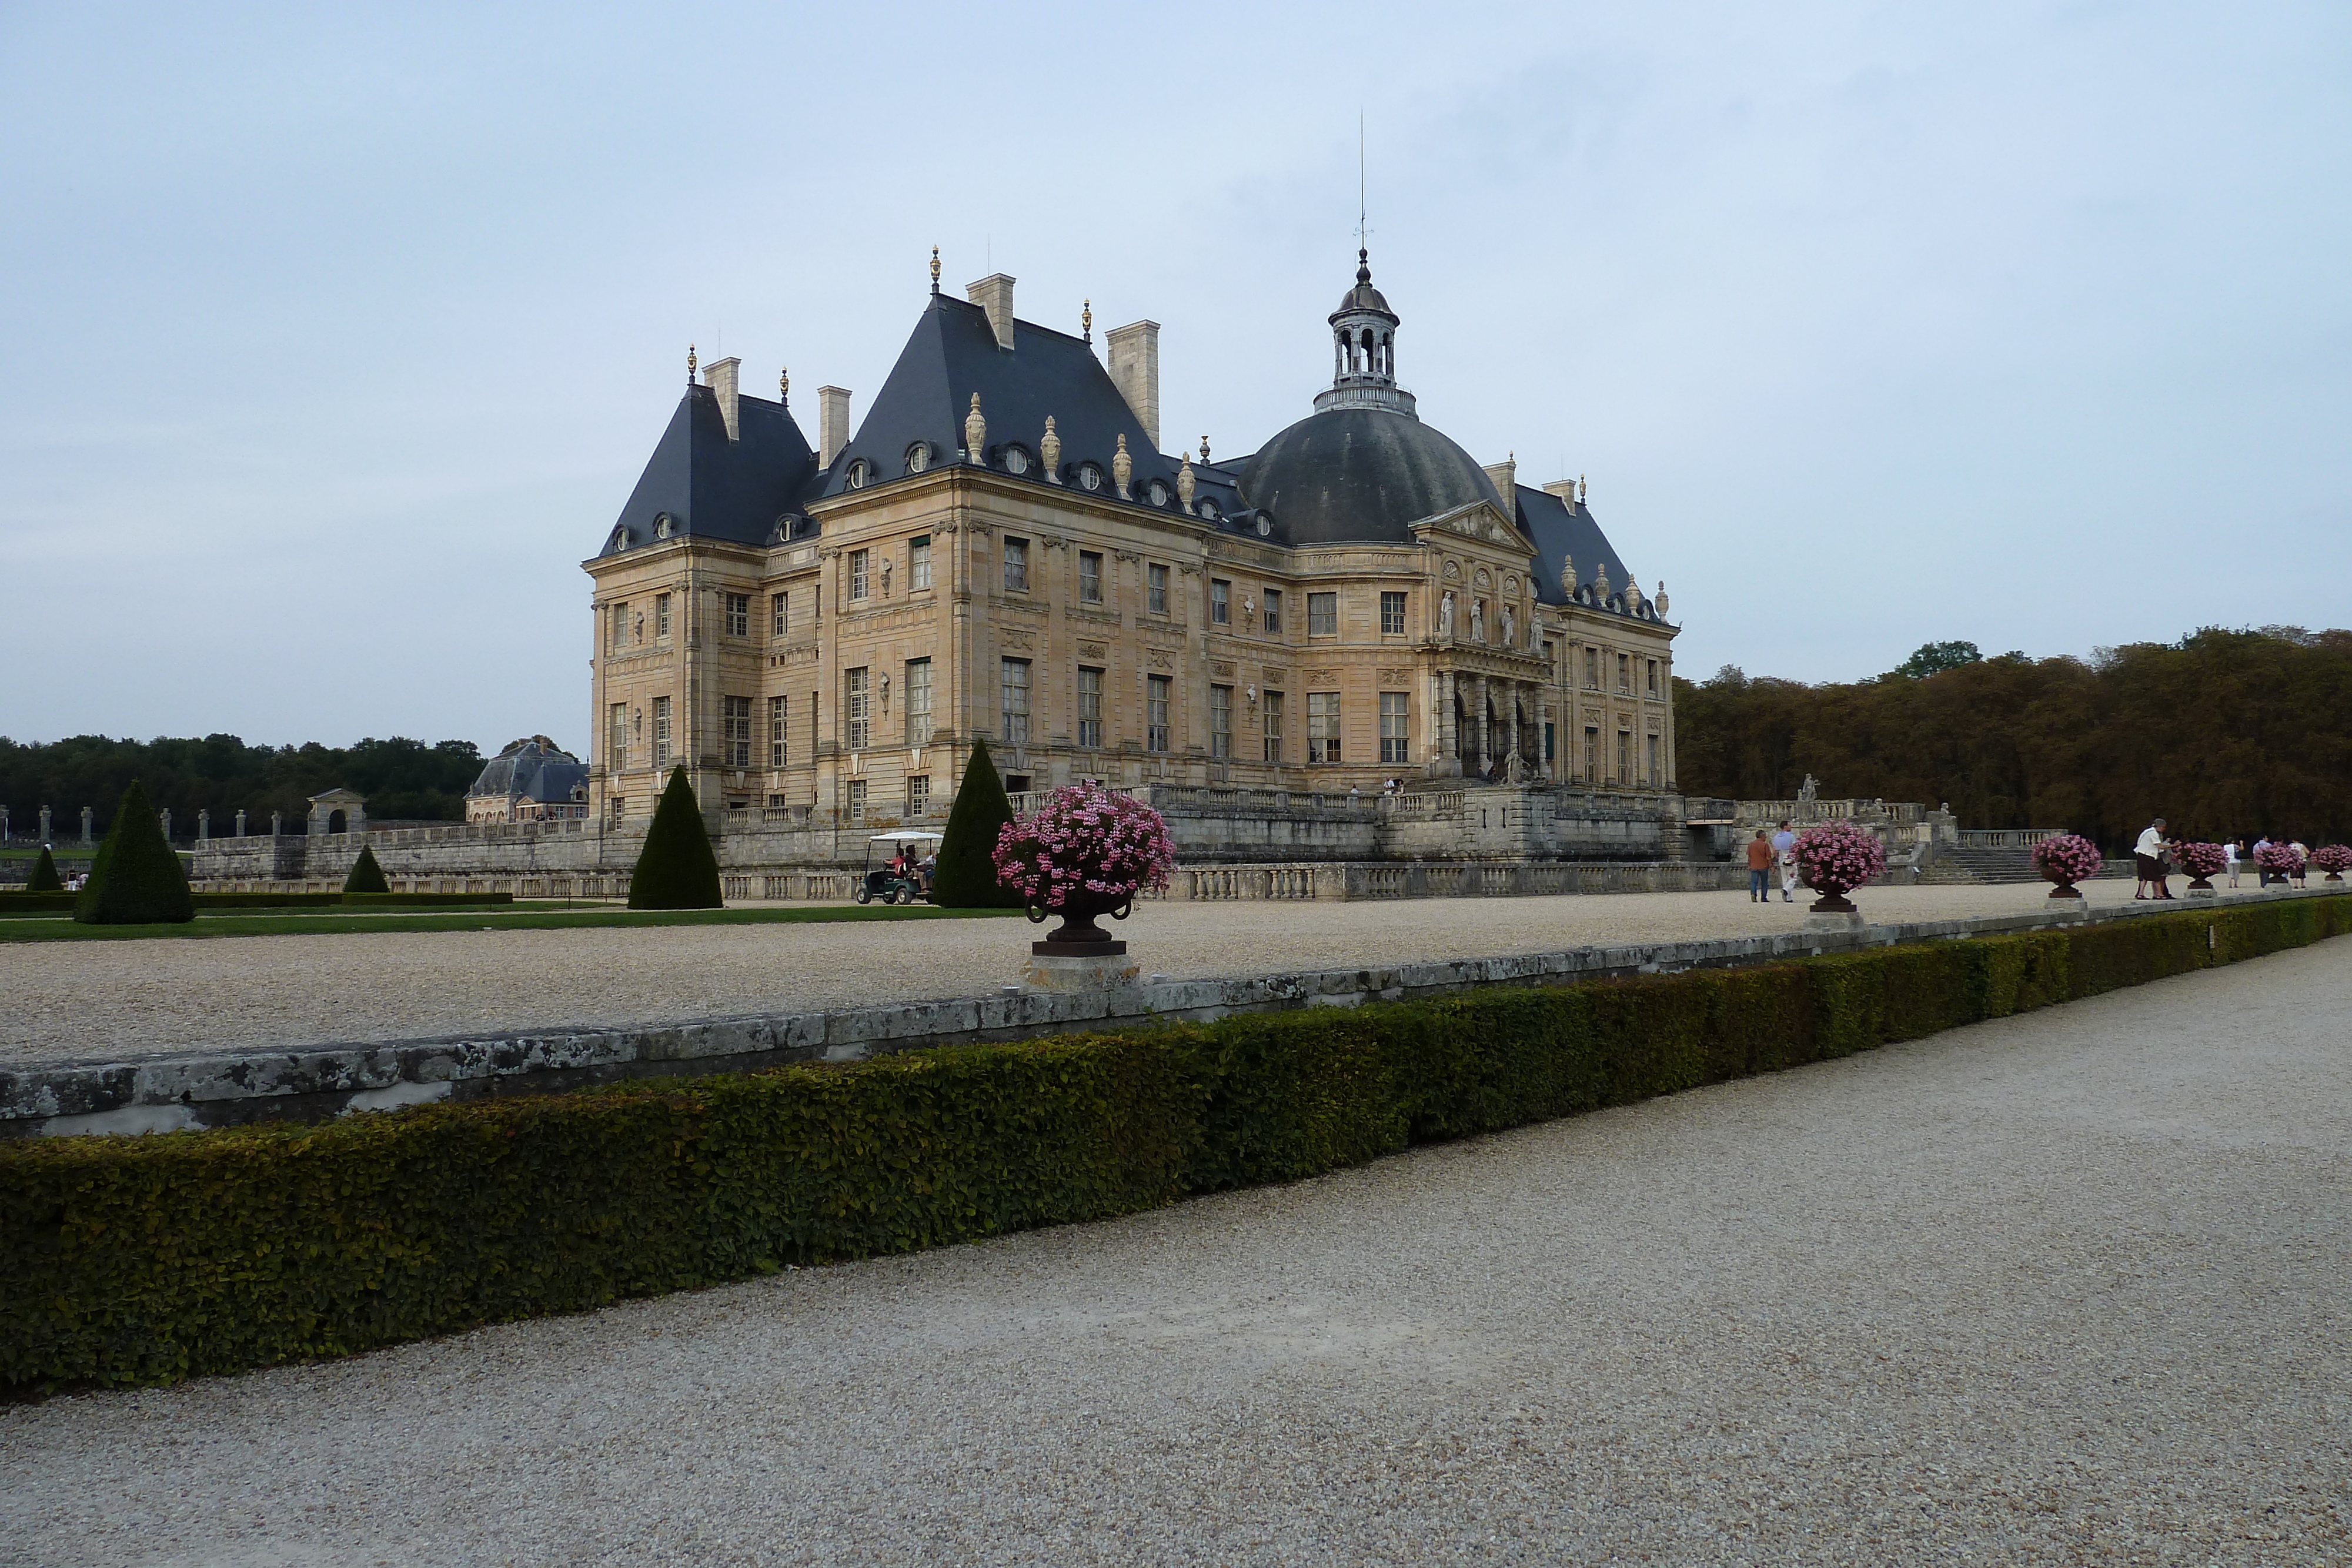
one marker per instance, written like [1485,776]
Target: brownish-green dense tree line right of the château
[2224,735]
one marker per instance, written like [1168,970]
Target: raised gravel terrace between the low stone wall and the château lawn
[126,1000]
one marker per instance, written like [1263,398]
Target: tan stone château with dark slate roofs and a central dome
[1005,551]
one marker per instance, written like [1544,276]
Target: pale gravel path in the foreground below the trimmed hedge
[2059,1289]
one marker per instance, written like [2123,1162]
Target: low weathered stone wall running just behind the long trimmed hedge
[229,1087]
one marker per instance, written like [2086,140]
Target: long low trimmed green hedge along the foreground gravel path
[152,1259]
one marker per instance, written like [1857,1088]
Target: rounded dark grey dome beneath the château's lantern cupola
[1361,476]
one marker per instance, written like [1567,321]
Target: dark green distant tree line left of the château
[222,775]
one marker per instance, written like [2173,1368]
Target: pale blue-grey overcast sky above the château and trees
[333,340]
